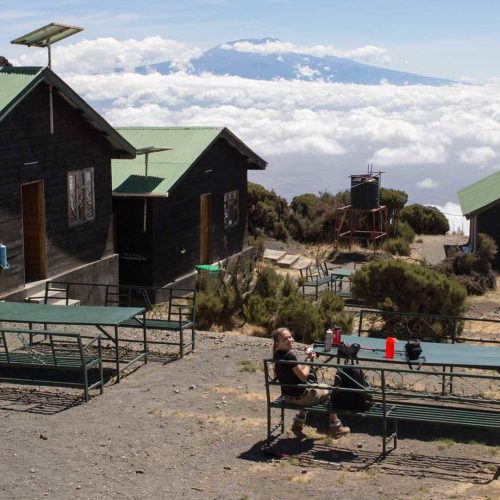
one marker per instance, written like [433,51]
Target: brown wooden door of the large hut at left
[35,260]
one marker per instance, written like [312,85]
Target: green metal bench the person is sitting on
[394,405]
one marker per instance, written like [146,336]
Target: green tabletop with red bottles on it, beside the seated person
[435,354]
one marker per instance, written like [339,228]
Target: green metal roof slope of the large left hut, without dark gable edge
[15,82]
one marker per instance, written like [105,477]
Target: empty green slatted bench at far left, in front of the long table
[51,351]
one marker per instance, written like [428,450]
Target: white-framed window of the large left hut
[81,203]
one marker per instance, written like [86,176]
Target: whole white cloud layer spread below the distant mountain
[314,134]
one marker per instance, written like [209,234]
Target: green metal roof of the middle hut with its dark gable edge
[166,168]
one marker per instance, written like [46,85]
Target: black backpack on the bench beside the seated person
[351,378]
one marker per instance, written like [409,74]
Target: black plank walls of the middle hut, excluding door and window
[175,237]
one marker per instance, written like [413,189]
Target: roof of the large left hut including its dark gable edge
[17,82]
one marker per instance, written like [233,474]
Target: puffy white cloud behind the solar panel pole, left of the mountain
[105,55]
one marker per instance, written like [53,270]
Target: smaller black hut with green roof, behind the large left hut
[189,207]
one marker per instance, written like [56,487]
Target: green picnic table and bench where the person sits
[421,401]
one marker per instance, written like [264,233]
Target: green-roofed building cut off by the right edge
[480,203]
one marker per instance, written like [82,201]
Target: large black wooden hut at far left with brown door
[55,195]
